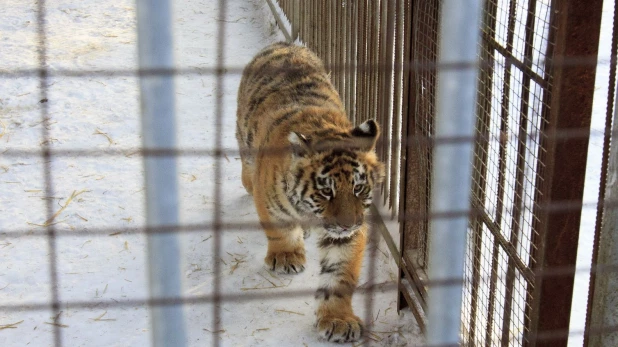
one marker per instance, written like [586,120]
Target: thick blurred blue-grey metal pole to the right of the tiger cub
[452,167]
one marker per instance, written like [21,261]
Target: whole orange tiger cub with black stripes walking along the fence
[307,166]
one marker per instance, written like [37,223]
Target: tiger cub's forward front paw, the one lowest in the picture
[344,328]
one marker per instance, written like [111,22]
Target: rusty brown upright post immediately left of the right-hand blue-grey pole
[422,42]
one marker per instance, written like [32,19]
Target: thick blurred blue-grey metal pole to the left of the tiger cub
[159,133]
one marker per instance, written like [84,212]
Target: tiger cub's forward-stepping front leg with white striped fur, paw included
[340,261]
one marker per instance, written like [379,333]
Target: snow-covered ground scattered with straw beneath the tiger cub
[101,112]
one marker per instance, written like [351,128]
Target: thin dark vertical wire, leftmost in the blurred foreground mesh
[47,169]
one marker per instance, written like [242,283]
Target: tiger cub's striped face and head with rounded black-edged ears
[333,174]
